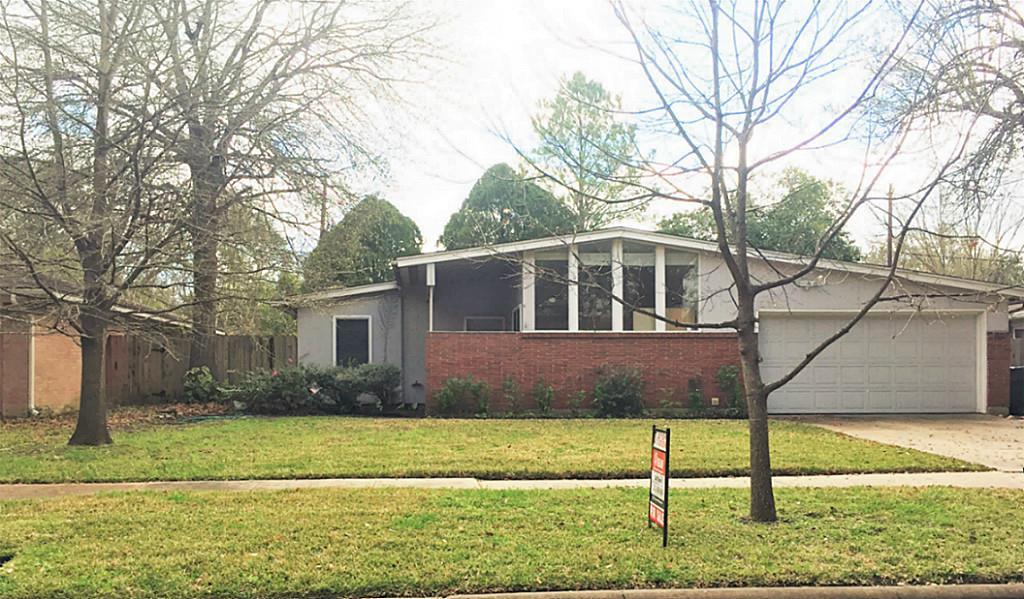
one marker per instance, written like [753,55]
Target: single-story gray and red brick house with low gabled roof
[543,310]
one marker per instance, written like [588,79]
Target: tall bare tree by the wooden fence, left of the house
[276,99]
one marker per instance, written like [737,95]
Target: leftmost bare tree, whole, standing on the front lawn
[81,165]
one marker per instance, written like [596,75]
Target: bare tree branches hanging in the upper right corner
[970,65]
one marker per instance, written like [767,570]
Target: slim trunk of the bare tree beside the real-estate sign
[762,494]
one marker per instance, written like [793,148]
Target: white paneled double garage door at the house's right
[891,363]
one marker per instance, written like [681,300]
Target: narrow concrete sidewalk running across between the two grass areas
[959,480]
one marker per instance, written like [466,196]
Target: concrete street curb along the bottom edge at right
[1013,591]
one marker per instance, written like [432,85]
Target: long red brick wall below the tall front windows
[569,362]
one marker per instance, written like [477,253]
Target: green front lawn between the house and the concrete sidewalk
[305,448]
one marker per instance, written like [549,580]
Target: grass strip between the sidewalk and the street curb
[407,542]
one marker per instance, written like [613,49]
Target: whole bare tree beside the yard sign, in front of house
[727,79]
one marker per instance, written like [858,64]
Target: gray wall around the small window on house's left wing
[316,325]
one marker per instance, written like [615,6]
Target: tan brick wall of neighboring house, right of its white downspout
[59,370]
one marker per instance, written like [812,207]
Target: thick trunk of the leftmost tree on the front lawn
[92,427]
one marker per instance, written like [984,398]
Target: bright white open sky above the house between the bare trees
[501,59]
